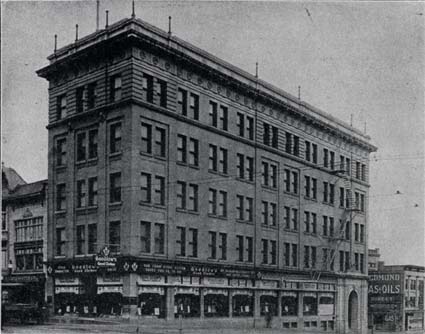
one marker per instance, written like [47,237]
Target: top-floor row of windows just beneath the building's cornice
[188,105]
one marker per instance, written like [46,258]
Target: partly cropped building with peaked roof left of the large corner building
[24,237]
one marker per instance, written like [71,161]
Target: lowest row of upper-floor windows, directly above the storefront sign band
[153,237]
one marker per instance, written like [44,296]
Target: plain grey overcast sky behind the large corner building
[360,58]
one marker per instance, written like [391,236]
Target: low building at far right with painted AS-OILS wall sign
[396,298]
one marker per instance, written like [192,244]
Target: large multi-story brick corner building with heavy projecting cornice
[208,191]
